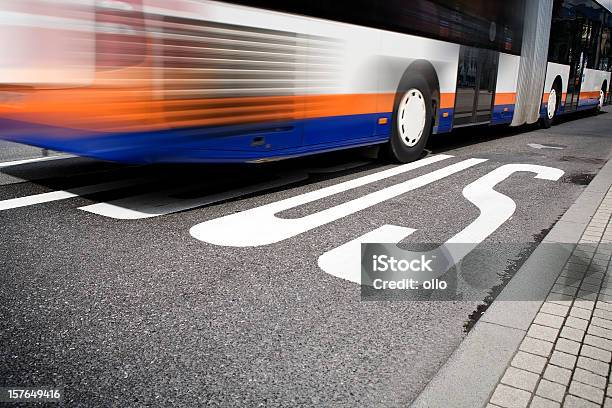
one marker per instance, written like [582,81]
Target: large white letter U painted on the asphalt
[261,226]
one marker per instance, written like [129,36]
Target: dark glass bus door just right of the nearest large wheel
[476,78]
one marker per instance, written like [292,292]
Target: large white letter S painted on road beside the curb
[495,209]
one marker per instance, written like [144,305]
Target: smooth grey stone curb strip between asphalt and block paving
[472,372]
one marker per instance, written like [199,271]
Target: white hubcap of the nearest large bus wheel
[411,117]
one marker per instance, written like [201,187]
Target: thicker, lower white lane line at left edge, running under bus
[62,194]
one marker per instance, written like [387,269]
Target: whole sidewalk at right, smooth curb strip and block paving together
[552,352]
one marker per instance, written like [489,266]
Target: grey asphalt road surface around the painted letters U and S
[138,312]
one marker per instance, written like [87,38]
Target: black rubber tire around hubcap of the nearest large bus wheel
[395,149]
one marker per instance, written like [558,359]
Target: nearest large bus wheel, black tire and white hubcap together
[411,120]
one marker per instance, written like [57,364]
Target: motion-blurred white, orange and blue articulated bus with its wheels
[143,81]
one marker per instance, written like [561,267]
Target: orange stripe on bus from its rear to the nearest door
[136,109]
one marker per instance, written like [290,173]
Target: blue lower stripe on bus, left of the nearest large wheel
[238,143]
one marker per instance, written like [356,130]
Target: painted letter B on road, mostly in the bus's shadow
[162,203]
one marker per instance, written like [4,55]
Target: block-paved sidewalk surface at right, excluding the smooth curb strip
[564,359]
